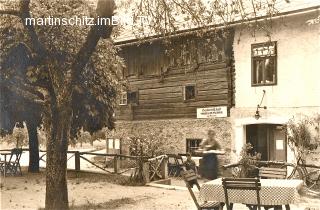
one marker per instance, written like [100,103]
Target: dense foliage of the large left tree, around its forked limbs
[97,85]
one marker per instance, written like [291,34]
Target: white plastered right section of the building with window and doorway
[277,70]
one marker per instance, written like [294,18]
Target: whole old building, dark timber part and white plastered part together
[241,87]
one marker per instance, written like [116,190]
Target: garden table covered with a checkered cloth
[273,192]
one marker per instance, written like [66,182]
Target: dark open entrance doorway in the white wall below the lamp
[269,140]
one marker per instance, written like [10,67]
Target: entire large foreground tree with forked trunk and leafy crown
[68,68]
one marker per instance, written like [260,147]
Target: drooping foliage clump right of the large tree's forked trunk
[97,89]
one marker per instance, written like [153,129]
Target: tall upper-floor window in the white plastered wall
[264,64]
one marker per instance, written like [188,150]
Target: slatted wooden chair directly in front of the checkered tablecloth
[242,184]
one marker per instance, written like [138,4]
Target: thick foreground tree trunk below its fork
[56,169]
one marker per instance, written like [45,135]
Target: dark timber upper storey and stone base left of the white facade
[170,87]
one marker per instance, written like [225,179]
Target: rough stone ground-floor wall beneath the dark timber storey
[172,134]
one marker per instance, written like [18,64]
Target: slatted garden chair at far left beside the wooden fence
[12,166]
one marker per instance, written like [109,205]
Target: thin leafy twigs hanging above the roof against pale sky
[167,17]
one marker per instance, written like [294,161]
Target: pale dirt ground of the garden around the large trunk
[96,191]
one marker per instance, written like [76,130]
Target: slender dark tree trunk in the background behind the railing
[33,147]
